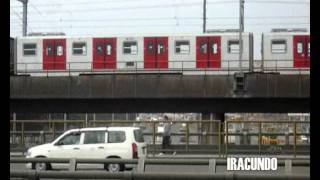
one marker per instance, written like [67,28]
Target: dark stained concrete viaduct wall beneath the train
[160,93]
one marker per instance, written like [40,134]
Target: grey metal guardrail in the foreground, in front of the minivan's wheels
[140,171]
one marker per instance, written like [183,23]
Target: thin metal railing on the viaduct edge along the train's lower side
[139,66]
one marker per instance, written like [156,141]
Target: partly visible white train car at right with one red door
[286,52]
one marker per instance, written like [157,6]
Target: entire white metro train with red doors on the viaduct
[210,53]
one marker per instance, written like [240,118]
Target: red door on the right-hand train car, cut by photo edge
[301,55]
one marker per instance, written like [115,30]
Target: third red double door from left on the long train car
[155,52]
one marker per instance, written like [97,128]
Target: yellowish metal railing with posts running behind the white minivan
[221,126]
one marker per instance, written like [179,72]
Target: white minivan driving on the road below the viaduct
[97,143]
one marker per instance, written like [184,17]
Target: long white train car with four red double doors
[213,53]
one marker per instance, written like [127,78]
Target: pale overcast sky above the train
[103,17]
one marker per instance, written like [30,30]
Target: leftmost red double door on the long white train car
[54,54]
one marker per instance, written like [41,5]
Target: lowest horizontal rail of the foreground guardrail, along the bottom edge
[35,175]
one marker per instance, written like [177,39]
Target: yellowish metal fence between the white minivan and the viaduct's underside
[222,137]
